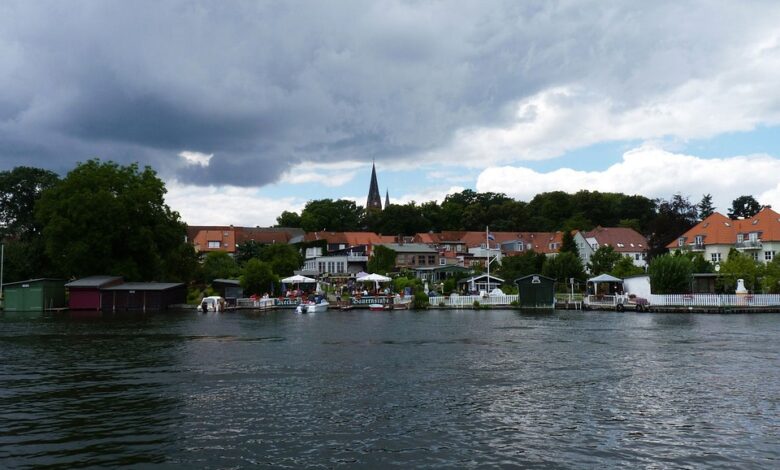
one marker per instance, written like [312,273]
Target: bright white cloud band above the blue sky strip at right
[738,95]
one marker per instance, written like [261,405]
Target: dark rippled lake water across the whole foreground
[427,389]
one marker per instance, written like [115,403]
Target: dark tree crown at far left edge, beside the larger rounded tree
[20,190]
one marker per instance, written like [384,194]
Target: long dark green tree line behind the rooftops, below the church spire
[660,220]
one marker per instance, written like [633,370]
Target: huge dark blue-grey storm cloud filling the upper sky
[266,85]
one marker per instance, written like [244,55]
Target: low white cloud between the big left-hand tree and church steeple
[226,205]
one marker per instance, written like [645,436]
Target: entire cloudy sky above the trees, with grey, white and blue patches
[246,109]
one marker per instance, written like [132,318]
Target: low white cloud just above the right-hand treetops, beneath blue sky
[651,172]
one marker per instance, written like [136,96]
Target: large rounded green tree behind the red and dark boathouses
[103,218]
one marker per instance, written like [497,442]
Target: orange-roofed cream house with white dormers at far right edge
[715,236]
